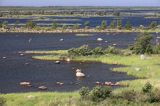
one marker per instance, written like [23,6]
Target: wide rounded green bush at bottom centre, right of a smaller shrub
[100,93]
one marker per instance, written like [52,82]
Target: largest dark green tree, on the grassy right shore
[143,44]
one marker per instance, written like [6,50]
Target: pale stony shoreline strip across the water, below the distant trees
[77,31]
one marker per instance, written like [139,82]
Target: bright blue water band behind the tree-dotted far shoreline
[94,21]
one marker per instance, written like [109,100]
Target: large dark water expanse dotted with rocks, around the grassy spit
[16,68]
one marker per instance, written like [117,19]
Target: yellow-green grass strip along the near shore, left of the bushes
[39,98]
